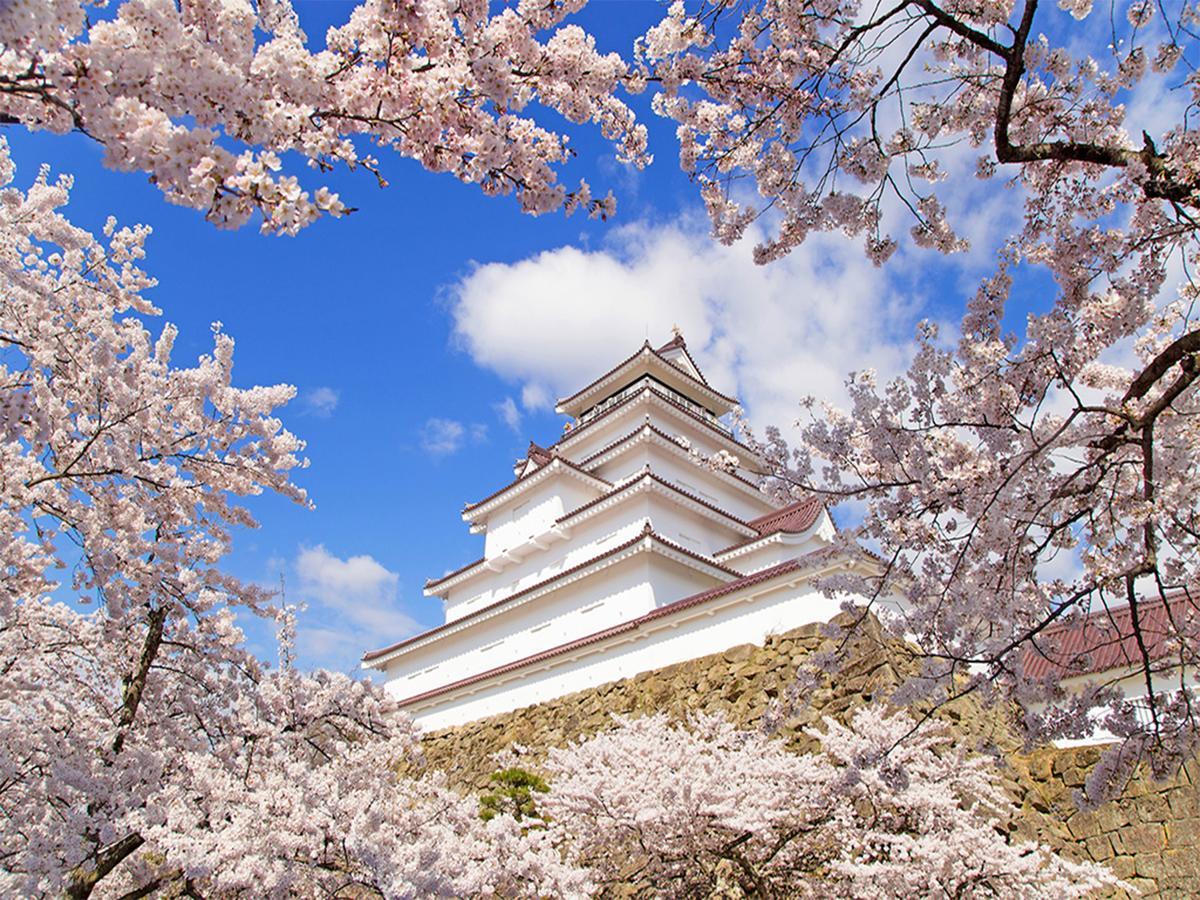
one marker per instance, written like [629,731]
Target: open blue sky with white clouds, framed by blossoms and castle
[428,334]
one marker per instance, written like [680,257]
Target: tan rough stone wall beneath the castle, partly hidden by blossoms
[1150,837]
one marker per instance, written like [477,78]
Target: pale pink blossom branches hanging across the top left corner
[209,97]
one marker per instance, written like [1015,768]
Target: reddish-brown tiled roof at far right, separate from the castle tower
[1106,639]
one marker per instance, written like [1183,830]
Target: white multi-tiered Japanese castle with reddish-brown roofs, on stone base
[616,551]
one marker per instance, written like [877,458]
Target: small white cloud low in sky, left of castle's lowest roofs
[352,607]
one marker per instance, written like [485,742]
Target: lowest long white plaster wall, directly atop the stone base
[712,628]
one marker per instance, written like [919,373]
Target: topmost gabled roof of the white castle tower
[670,365]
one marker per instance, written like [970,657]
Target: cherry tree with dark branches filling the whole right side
[1010,482]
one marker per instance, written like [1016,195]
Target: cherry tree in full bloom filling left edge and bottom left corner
[142,747]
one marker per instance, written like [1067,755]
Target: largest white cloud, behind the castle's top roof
[773,334]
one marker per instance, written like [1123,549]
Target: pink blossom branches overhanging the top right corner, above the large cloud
[836,116]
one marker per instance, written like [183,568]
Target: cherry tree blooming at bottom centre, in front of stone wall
[686,812]
